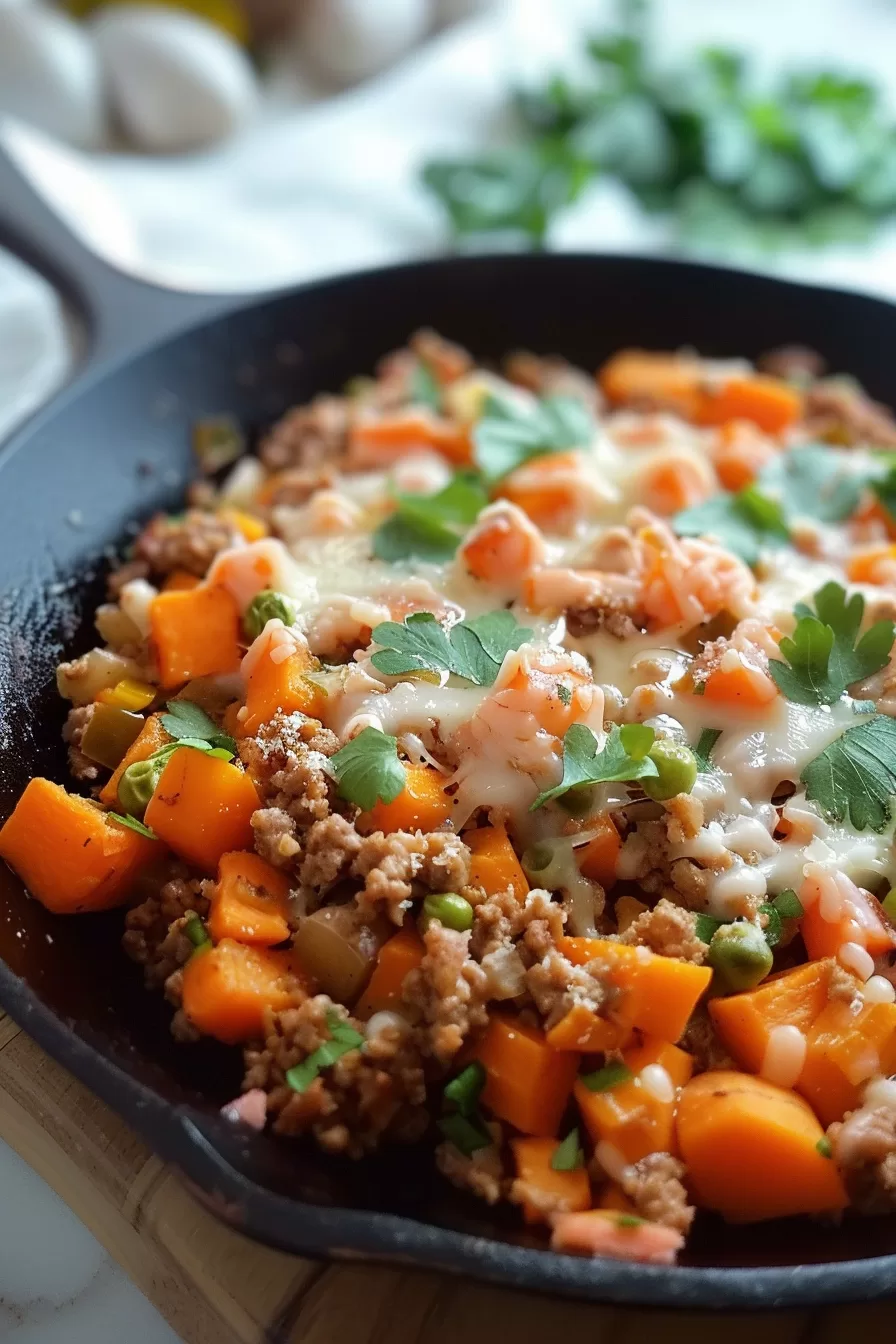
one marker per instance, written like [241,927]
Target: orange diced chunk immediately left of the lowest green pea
[656,994]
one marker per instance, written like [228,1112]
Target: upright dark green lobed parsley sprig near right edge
[823,657]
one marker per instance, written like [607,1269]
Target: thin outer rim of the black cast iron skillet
[177,1134]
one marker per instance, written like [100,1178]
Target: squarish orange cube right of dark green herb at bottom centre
[529,1085]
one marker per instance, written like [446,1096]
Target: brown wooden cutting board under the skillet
[216,1287]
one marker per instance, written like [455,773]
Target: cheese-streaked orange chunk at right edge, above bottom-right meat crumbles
[843,1052]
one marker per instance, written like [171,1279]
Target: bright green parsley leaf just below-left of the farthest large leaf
[428,528]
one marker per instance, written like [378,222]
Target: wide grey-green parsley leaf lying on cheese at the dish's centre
[474,650]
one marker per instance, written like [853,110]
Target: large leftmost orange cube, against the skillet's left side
[69,854]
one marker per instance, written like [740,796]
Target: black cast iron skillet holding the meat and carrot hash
[114,447]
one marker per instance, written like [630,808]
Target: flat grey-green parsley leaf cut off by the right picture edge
[856,776]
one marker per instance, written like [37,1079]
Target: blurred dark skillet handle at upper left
[122,312]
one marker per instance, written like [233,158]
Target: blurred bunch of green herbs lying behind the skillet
[809,159]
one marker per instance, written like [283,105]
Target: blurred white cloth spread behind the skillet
[328,186]
